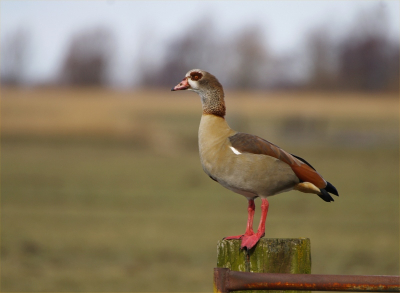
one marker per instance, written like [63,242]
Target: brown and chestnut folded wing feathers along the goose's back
[247,143]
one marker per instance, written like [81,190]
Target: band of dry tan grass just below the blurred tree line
[83,111]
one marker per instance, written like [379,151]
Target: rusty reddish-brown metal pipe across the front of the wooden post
[226,280]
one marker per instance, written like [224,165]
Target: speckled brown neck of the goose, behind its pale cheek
[212,98]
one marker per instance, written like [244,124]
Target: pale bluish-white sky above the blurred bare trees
[286,23]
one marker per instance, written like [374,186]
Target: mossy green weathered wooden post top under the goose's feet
[270,255]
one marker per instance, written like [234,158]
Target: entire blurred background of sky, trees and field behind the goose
[101,184]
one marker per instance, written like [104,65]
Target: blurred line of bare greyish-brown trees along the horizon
[364,58]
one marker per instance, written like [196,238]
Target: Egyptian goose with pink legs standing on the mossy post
[245,163]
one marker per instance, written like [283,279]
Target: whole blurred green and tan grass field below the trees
[103,190]
